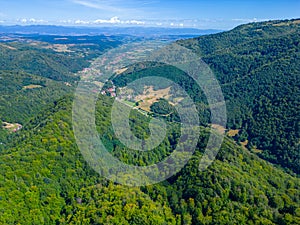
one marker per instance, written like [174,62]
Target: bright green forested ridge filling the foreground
[44,179]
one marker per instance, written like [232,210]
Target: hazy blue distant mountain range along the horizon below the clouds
[135,31]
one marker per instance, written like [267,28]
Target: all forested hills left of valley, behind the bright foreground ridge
[36,70]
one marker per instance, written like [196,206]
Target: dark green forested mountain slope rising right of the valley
[258,67]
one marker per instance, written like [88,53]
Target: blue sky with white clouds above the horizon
[216,14]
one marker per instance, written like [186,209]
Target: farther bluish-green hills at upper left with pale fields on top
[54,57]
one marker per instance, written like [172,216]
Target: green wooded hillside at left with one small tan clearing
[23,95]
